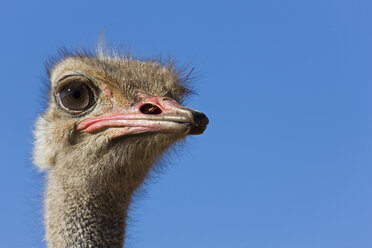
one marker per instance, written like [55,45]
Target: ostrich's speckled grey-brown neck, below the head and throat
[81,216]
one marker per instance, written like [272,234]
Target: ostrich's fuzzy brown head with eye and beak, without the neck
[109,118]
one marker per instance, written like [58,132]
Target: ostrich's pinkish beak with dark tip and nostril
[150,114]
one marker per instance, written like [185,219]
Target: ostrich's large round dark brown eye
[76,96]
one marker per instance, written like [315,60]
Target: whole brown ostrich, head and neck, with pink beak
[109,119]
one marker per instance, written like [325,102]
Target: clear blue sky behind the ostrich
[286,161]
